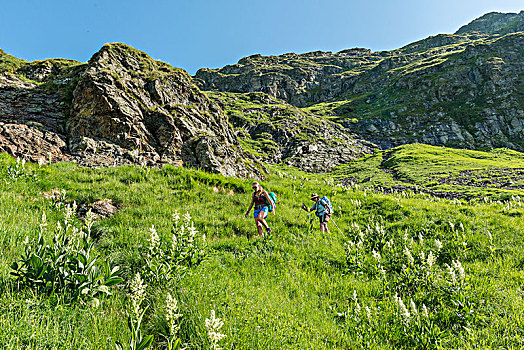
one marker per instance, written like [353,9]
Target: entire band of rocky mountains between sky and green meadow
[306,110]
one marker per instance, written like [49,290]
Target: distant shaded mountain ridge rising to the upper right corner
[459,90]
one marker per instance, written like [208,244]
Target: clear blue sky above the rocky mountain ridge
[212,33]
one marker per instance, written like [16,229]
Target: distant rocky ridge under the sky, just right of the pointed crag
[300,80]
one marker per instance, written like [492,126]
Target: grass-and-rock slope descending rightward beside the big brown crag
[277,132]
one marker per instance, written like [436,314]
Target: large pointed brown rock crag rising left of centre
[128,107]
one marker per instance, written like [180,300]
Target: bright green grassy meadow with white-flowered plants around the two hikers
[401,270]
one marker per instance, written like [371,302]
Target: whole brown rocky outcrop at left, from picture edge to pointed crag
[120,108]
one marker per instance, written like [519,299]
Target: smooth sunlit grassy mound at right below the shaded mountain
[499,172]
